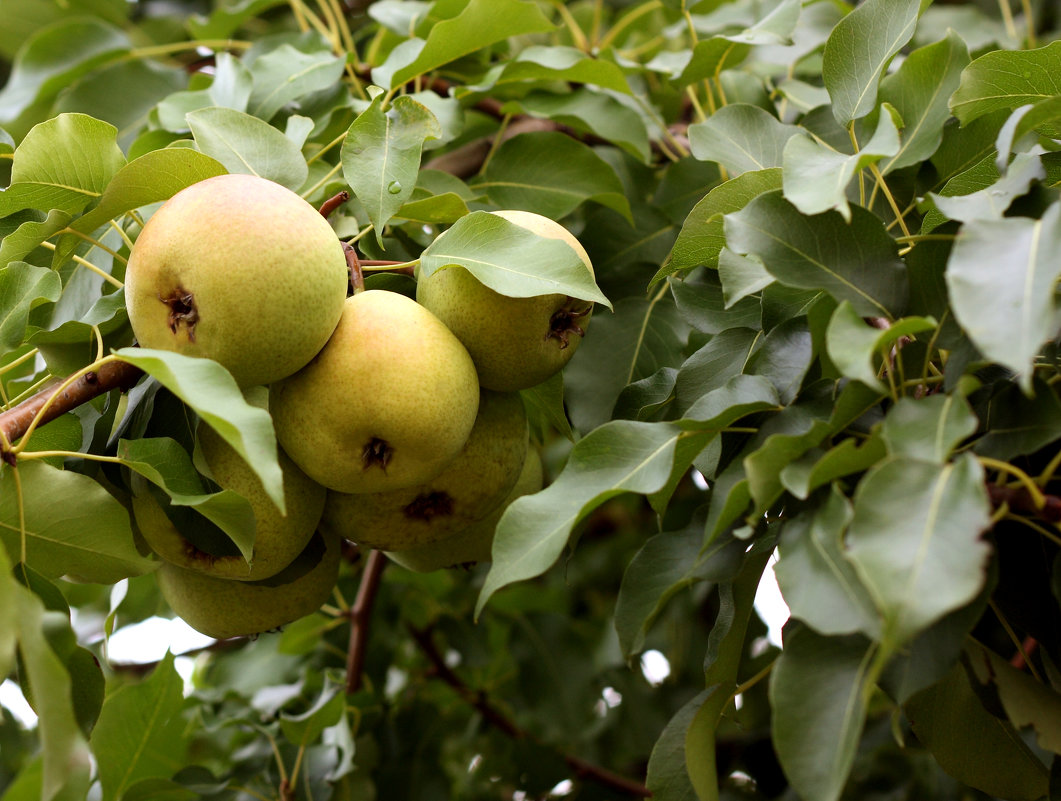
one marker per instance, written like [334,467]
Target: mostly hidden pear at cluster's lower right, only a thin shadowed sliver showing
[475,544]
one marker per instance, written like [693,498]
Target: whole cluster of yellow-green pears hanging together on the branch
[399,422]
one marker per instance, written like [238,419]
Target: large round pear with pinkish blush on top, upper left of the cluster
[239,270]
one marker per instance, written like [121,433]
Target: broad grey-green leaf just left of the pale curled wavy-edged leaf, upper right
[741,138]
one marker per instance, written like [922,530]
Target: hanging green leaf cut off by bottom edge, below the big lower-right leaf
[820,690]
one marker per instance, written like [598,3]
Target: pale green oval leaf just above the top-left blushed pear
[246,145]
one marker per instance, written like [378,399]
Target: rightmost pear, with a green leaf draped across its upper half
[516,343]
